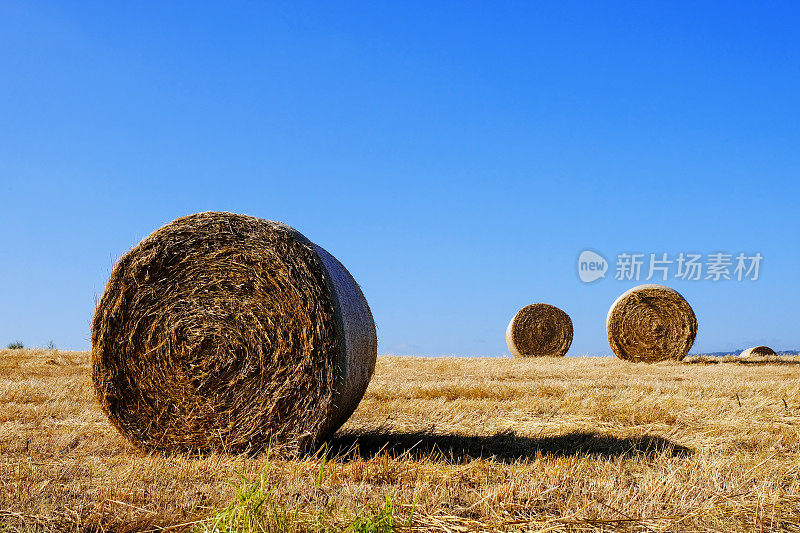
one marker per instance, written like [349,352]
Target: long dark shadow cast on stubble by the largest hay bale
[505,447]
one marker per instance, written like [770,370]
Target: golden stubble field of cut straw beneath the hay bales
[437,444]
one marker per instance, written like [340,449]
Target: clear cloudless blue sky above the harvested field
[456,157]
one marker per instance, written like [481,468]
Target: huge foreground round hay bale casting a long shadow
[225,332]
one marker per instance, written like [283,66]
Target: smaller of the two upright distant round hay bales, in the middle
[539,330]
